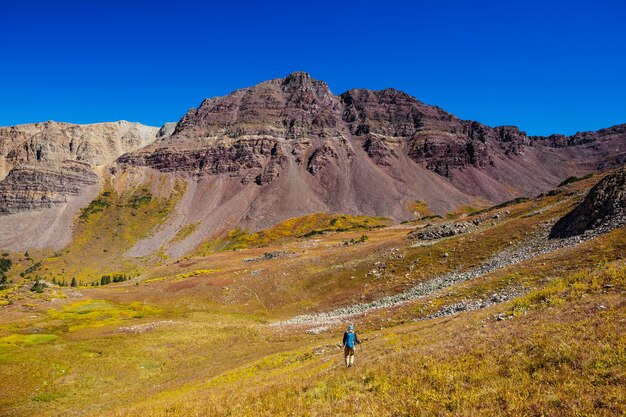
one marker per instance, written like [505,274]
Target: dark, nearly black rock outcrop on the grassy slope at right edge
[605,201]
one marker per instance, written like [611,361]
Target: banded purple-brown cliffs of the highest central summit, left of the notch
[252,134]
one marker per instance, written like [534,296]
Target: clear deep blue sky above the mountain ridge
[546,66]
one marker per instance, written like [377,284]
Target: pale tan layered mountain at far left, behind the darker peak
[49,170]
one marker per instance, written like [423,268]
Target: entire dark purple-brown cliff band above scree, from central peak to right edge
[303,114]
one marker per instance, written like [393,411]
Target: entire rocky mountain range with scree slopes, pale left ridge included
[289,147]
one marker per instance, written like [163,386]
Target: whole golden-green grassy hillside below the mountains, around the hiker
[473,314]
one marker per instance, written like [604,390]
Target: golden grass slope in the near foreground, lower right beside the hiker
[558,359]
